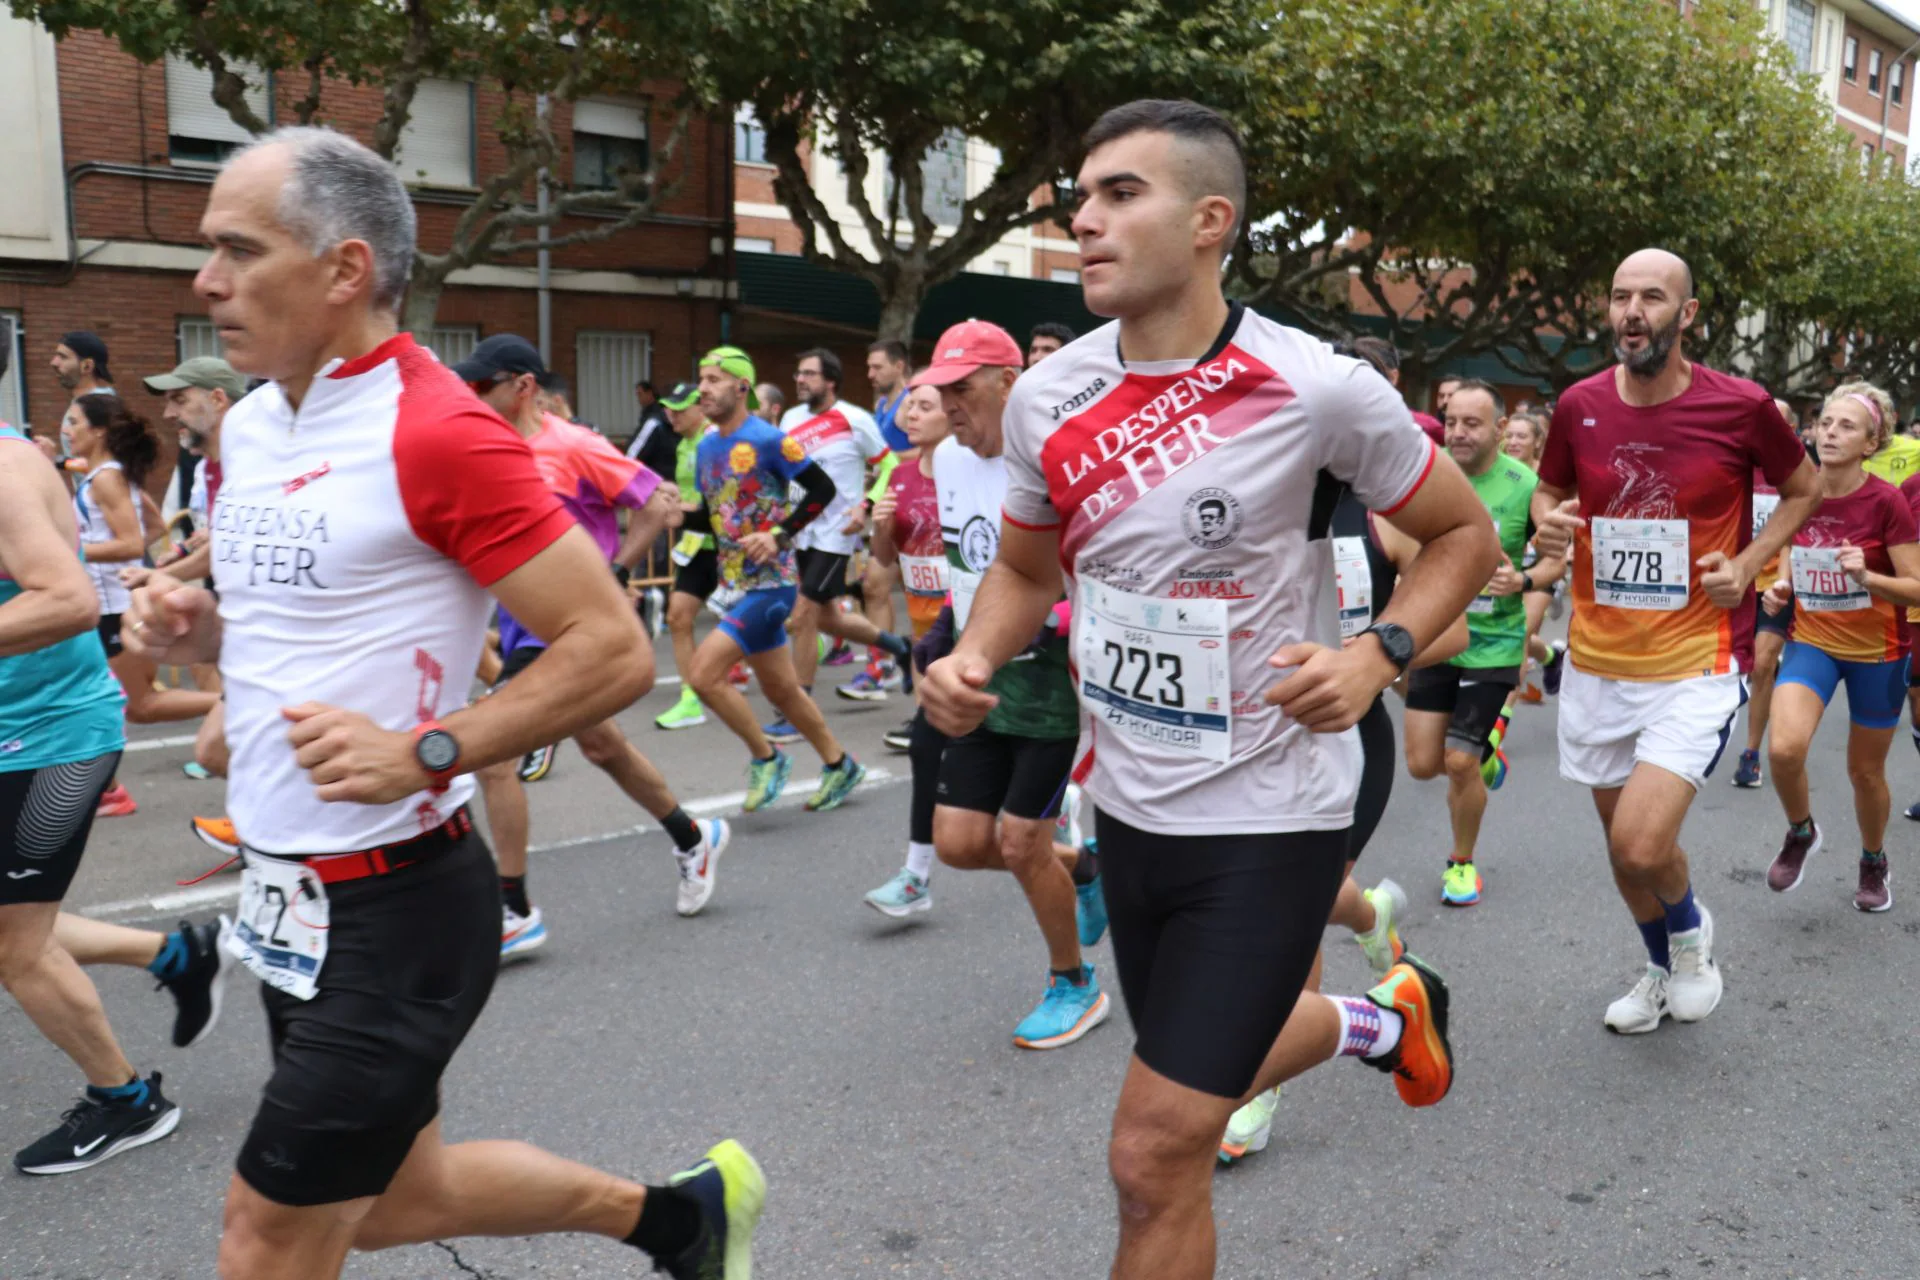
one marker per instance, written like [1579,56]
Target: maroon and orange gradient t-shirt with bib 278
[1660,488]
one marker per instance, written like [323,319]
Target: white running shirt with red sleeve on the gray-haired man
[354,542]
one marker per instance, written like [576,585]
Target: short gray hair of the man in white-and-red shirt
[343,191]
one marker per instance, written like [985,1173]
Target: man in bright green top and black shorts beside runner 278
[1452,709]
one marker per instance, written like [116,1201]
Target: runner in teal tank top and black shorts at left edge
[60,742]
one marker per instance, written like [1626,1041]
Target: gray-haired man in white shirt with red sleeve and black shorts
[370,510]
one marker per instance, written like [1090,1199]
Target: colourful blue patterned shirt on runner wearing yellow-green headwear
[744,479]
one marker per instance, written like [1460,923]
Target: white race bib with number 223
[1157,671]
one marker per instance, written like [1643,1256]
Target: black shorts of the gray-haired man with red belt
[356,1072]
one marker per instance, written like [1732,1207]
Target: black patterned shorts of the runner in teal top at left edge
[45,817]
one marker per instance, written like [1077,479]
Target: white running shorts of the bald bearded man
[1608,726]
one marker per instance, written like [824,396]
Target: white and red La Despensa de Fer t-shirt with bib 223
[1195,504]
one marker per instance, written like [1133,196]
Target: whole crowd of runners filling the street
[1159,582]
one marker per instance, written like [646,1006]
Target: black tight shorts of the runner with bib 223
[1214,937]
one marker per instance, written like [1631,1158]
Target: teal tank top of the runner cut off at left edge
[59,705]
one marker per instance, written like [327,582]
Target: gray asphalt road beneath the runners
[871,1066]
